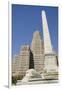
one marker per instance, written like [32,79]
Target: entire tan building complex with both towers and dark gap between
[30,57]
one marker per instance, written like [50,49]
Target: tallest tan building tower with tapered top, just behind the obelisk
[37,51]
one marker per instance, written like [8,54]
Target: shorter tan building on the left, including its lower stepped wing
[20,63]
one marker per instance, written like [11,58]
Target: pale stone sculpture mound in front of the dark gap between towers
[31,75]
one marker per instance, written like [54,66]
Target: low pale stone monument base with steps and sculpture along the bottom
[33,77]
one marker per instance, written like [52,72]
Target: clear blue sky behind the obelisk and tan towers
[27,19]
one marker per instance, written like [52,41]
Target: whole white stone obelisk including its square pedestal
[50,63]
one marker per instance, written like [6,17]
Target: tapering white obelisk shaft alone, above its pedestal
[47,40]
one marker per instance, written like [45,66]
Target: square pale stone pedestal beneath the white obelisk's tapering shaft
[50,67]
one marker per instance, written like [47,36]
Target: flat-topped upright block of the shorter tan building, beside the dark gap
[24,59]
